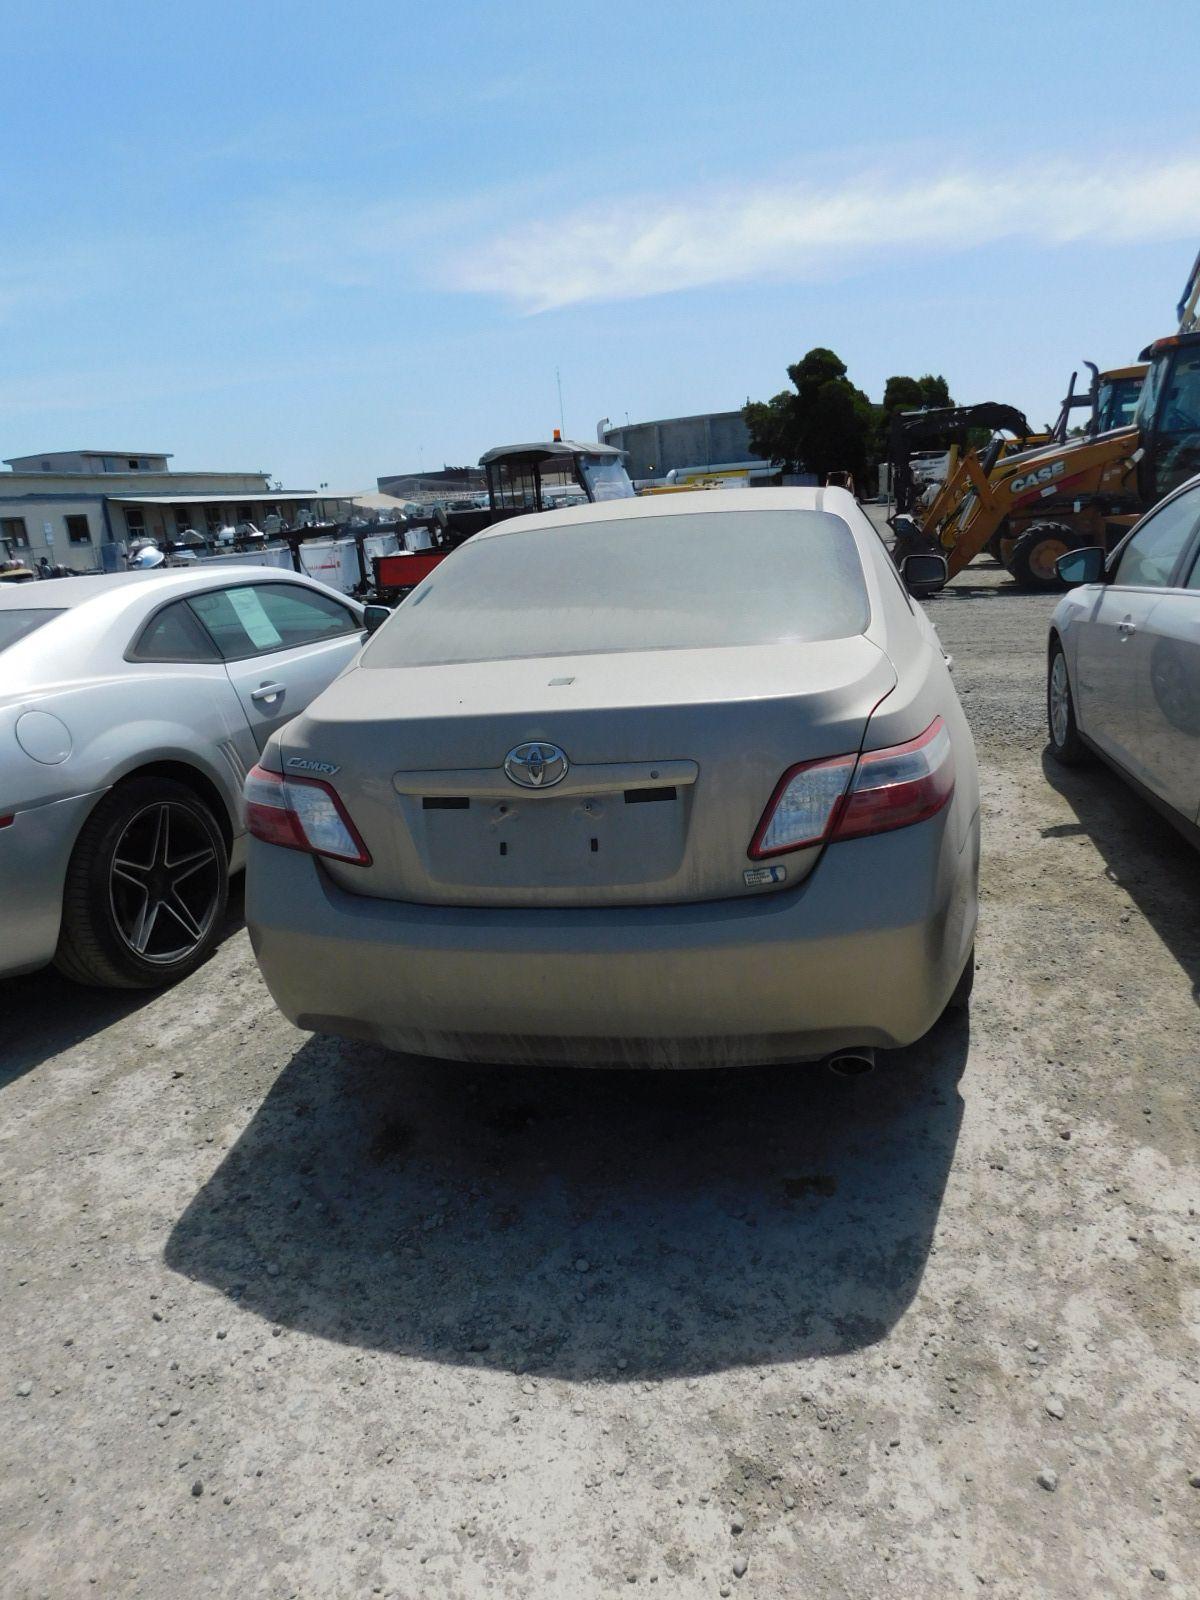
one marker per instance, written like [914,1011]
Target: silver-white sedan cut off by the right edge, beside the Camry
[1124,666]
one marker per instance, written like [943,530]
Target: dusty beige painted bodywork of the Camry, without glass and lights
[588,924]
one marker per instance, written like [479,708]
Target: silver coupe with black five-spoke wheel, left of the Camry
[132,708]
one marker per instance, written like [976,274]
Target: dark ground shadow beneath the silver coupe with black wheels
[42,1014]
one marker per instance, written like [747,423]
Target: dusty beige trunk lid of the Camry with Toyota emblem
[671,759]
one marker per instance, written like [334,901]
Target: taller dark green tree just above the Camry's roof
[825,426]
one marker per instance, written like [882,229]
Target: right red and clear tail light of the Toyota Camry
[895,788]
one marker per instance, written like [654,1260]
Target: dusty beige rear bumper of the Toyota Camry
[865,953]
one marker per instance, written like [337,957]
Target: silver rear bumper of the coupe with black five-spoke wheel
[34,855]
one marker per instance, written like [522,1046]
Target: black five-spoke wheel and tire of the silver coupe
[146,889]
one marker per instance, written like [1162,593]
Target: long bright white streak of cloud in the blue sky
[785,231]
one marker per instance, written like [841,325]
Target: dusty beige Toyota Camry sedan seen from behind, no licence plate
[676,782]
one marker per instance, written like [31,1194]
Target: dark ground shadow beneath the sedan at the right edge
[1143,854]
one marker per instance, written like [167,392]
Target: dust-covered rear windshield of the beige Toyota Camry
[641,583]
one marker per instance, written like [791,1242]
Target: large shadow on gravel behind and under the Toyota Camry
[583,1223]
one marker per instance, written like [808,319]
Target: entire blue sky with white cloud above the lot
[342,241]
